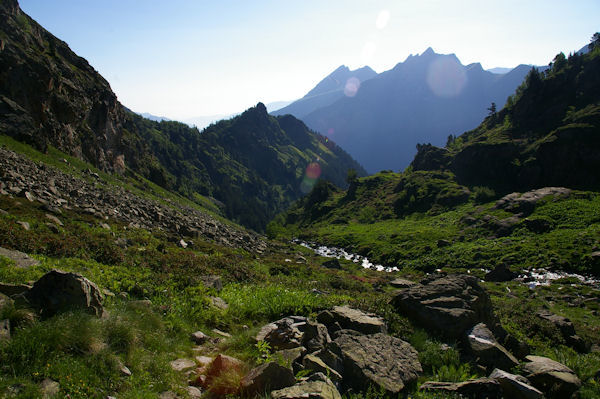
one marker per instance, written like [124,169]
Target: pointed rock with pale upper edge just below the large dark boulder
[486,349]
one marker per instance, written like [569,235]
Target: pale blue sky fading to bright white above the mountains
[188,58]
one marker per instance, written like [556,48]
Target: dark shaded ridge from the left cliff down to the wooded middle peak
[50,96]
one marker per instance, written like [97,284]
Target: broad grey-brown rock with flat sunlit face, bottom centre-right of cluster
[377,359]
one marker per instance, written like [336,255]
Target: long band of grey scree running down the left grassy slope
[56,190]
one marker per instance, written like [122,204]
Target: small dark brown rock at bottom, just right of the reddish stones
[267,377]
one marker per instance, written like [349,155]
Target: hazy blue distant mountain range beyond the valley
[379,118]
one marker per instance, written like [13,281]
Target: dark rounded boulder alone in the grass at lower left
[57,291]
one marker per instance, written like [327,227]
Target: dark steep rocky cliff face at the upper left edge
[51,96]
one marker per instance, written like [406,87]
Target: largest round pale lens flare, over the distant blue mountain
[446,77]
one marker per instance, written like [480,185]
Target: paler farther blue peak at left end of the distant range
[335,86]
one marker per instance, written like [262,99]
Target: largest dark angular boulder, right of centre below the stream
[449,305]
